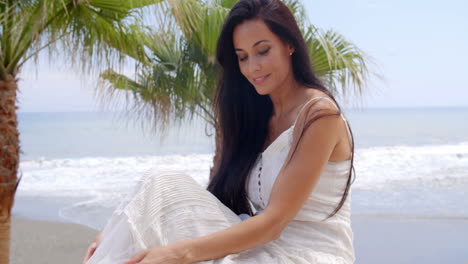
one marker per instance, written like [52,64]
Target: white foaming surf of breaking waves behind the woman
[101,183]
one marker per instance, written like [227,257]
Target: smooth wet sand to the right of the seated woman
[405,240]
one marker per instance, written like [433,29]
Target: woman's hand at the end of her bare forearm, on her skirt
[160,255]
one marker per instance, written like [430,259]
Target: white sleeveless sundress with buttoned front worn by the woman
[169,206]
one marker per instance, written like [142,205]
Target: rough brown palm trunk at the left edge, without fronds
[9,160]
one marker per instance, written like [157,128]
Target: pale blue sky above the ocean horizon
[418,47]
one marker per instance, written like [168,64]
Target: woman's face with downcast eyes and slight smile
[264,59]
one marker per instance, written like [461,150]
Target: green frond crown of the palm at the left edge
[91,32]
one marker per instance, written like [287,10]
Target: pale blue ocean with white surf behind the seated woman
[78,166]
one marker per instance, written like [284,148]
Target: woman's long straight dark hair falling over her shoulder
[242,115]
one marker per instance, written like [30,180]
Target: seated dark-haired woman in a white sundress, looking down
[279,191]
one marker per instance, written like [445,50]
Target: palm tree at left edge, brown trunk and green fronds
[89,33]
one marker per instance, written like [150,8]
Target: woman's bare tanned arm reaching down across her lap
[292,187]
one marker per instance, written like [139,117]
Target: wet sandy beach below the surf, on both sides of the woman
[377,240]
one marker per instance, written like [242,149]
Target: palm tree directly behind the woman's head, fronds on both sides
[180,77]
